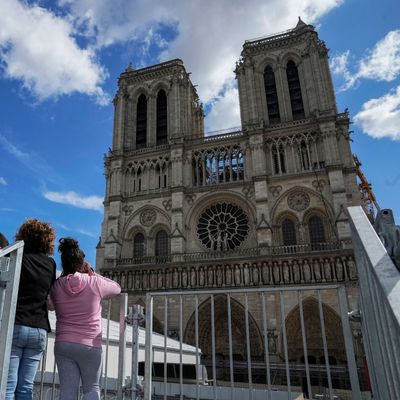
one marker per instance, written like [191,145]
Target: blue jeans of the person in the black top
[27,348]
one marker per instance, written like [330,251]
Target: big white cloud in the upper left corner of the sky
[38,48]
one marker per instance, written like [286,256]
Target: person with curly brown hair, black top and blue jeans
[38,272]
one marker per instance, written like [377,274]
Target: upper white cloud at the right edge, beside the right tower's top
[382,63]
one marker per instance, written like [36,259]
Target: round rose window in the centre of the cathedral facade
[223,226]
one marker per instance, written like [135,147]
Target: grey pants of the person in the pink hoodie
[76,362]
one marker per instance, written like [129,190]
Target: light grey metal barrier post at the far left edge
[10,270]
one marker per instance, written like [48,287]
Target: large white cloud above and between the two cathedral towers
[209,34]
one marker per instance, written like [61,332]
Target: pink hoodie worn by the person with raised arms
[77,301]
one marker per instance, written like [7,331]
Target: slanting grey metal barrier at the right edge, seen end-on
[379,282]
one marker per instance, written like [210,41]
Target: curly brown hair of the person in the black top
[38,236]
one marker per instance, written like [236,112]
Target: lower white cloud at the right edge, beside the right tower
[381,117]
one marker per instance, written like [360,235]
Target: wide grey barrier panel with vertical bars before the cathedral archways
[281,377]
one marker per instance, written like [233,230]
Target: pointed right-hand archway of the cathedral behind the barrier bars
[333,331]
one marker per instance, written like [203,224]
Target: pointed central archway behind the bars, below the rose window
[221,330]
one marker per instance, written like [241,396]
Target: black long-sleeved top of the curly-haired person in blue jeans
[38,272]
